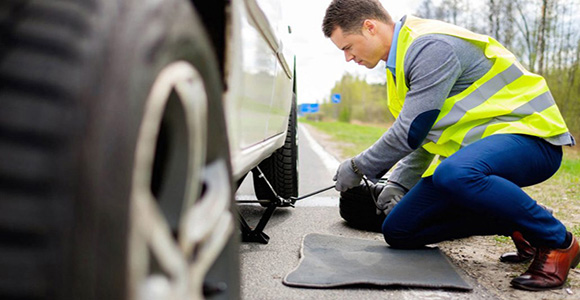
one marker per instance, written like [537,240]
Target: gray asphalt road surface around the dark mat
[264,266]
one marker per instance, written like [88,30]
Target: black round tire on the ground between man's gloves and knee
[358,209]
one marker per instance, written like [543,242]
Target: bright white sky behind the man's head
[319,63]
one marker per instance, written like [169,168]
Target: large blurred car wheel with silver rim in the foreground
[114,184]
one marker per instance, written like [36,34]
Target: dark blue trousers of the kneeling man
[477,191]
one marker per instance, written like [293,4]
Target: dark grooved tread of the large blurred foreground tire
[42,49]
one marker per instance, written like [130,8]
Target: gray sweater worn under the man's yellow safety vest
[437,67]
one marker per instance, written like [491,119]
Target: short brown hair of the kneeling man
[349,15]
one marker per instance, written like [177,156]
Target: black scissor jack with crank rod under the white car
[257,235]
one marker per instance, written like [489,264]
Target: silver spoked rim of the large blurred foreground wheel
[161,267]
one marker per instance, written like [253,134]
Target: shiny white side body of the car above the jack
[259,74]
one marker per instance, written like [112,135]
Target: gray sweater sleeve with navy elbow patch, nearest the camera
[431,69]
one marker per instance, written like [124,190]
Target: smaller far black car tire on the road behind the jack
[281,168]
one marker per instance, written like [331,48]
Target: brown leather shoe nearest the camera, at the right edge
[549,269]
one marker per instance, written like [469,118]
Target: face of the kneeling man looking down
[363,48]
